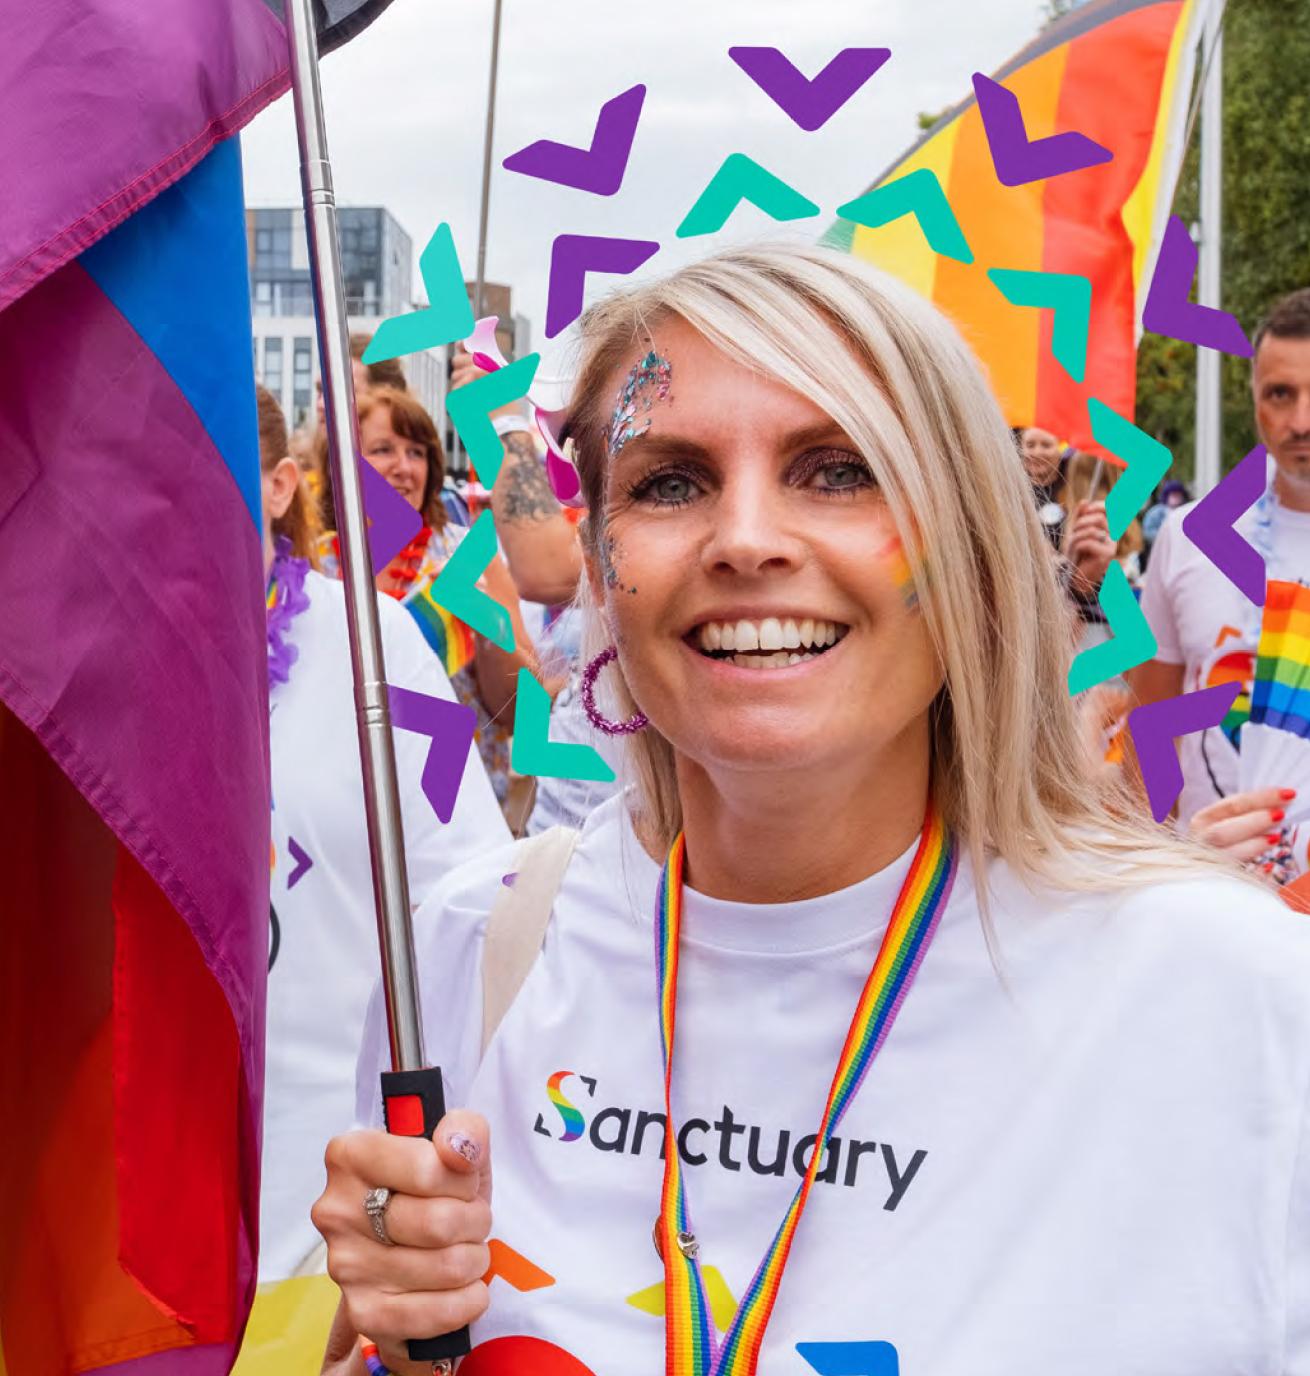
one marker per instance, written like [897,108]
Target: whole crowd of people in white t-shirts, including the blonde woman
[819,617]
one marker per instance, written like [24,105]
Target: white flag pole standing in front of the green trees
[1209,386]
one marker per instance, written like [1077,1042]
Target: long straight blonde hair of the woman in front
[1009,768]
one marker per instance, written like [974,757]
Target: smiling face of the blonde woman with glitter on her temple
[751,572]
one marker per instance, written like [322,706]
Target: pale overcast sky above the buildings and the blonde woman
[407,104]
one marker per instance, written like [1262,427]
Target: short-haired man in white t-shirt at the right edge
[1206,630]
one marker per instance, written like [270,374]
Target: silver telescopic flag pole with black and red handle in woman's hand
[412,1093]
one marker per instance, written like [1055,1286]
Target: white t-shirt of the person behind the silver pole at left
[325,934]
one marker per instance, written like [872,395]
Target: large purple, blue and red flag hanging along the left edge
[134,716]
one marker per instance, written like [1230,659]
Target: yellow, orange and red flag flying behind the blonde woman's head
[1119,72]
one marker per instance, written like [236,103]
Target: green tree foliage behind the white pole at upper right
[1267,226]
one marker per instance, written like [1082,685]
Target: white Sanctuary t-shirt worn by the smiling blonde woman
[1097,1168]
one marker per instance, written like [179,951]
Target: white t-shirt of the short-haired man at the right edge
[1205,624]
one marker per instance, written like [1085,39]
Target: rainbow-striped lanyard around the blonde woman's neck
[691,1348]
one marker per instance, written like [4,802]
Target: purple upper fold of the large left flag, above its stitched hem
[104,105]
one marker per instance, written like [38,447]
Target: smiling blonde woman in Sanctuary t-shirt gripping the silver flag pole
[1059,1059]
